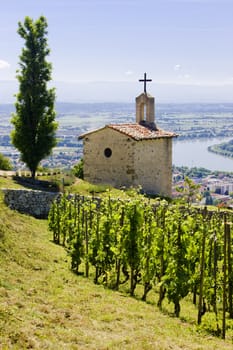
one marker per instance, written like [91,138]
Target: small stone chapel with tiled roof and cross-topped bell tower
[131,154]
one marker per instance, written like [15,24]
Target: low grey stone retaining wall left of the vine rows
[34,203]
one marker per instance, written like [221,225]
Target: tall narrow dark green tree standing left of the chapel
[34,134]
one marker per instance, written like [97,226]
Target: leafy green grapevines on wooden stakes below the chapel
[177,250]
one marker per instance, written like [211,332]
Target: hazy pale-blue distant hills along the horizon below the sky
[126,91]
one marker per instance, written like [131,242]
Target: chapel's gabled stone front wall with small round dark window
[109,158]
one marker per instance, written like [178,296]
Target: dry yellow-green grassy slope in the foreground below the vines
[43,305]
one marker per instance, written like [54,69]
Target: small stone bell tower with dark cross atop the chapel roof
[145,107]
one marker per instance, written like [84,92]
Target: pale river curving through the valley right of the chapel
[194,153]
